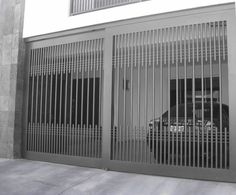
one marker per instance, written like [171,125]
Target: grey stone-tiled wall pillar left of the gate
[11,80]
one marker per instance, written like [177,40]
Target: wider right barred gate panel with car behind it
[170,96]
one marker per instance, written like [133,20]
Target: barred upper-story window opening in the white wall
[82,6]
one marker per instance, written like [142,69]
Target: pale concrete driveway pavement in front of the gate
[23,177]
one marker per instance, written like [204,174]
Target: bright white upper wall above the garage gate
[47,16]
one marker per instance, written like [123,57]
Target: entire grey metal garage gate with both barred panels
[150,96]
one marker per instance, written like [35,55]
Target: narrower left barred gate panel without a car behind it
[64,99]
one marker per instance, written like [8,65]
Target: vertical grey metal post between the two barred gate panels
[107,100]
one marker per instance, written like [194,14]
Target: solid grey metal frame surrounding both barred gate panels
[185,17]
